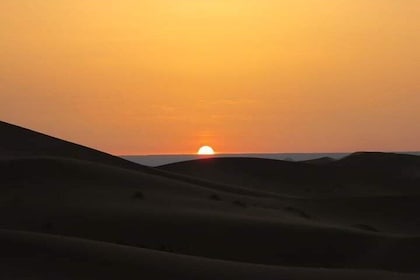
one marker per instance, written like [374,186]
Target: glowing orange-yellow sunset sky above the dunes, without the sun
[165,76]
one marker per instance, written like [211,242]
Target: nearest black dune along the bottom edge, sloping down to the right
[42,256]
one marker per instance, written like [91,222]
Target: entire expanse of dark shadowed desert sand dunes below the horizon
[69,212]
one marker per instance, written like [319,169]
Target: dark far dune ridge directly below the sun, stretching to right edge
[360,174]
